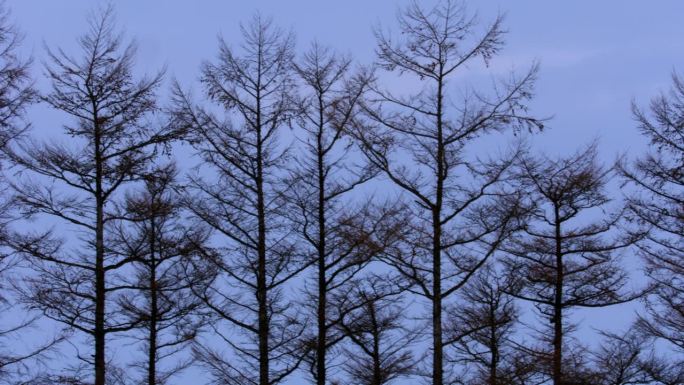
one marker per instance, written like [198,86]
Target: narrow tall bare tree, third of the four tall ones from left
[342,236]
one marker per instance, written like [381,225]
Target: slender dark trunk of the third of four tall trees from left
[321,343]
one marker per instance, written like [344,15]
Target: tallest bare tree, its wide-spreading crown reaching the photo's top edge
[421,144]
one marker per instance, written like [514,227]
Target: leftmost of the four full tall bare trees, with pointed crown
[111,141]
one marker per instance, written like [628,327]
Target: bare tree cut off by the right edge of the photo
[658,205]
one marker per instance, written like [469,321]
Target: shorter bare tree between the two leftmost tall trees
[162,247]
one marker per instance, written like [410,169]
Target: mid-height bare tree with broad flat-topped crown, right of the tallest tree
[565,259]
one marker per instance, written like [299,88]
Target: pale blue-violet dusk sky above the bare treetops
[596,57]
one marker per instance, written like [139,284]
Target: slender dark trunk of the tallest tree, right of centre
[437,343]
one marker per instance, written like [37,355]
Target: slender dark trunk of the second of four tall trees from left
[261,246]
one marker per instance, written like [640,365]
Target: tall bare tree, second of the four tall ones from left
[242,201]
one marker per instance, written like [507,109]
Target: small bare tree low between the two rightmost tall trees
[379,341]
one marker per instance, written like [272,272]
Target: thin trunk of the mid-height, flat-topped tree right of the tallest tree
[558,307]
